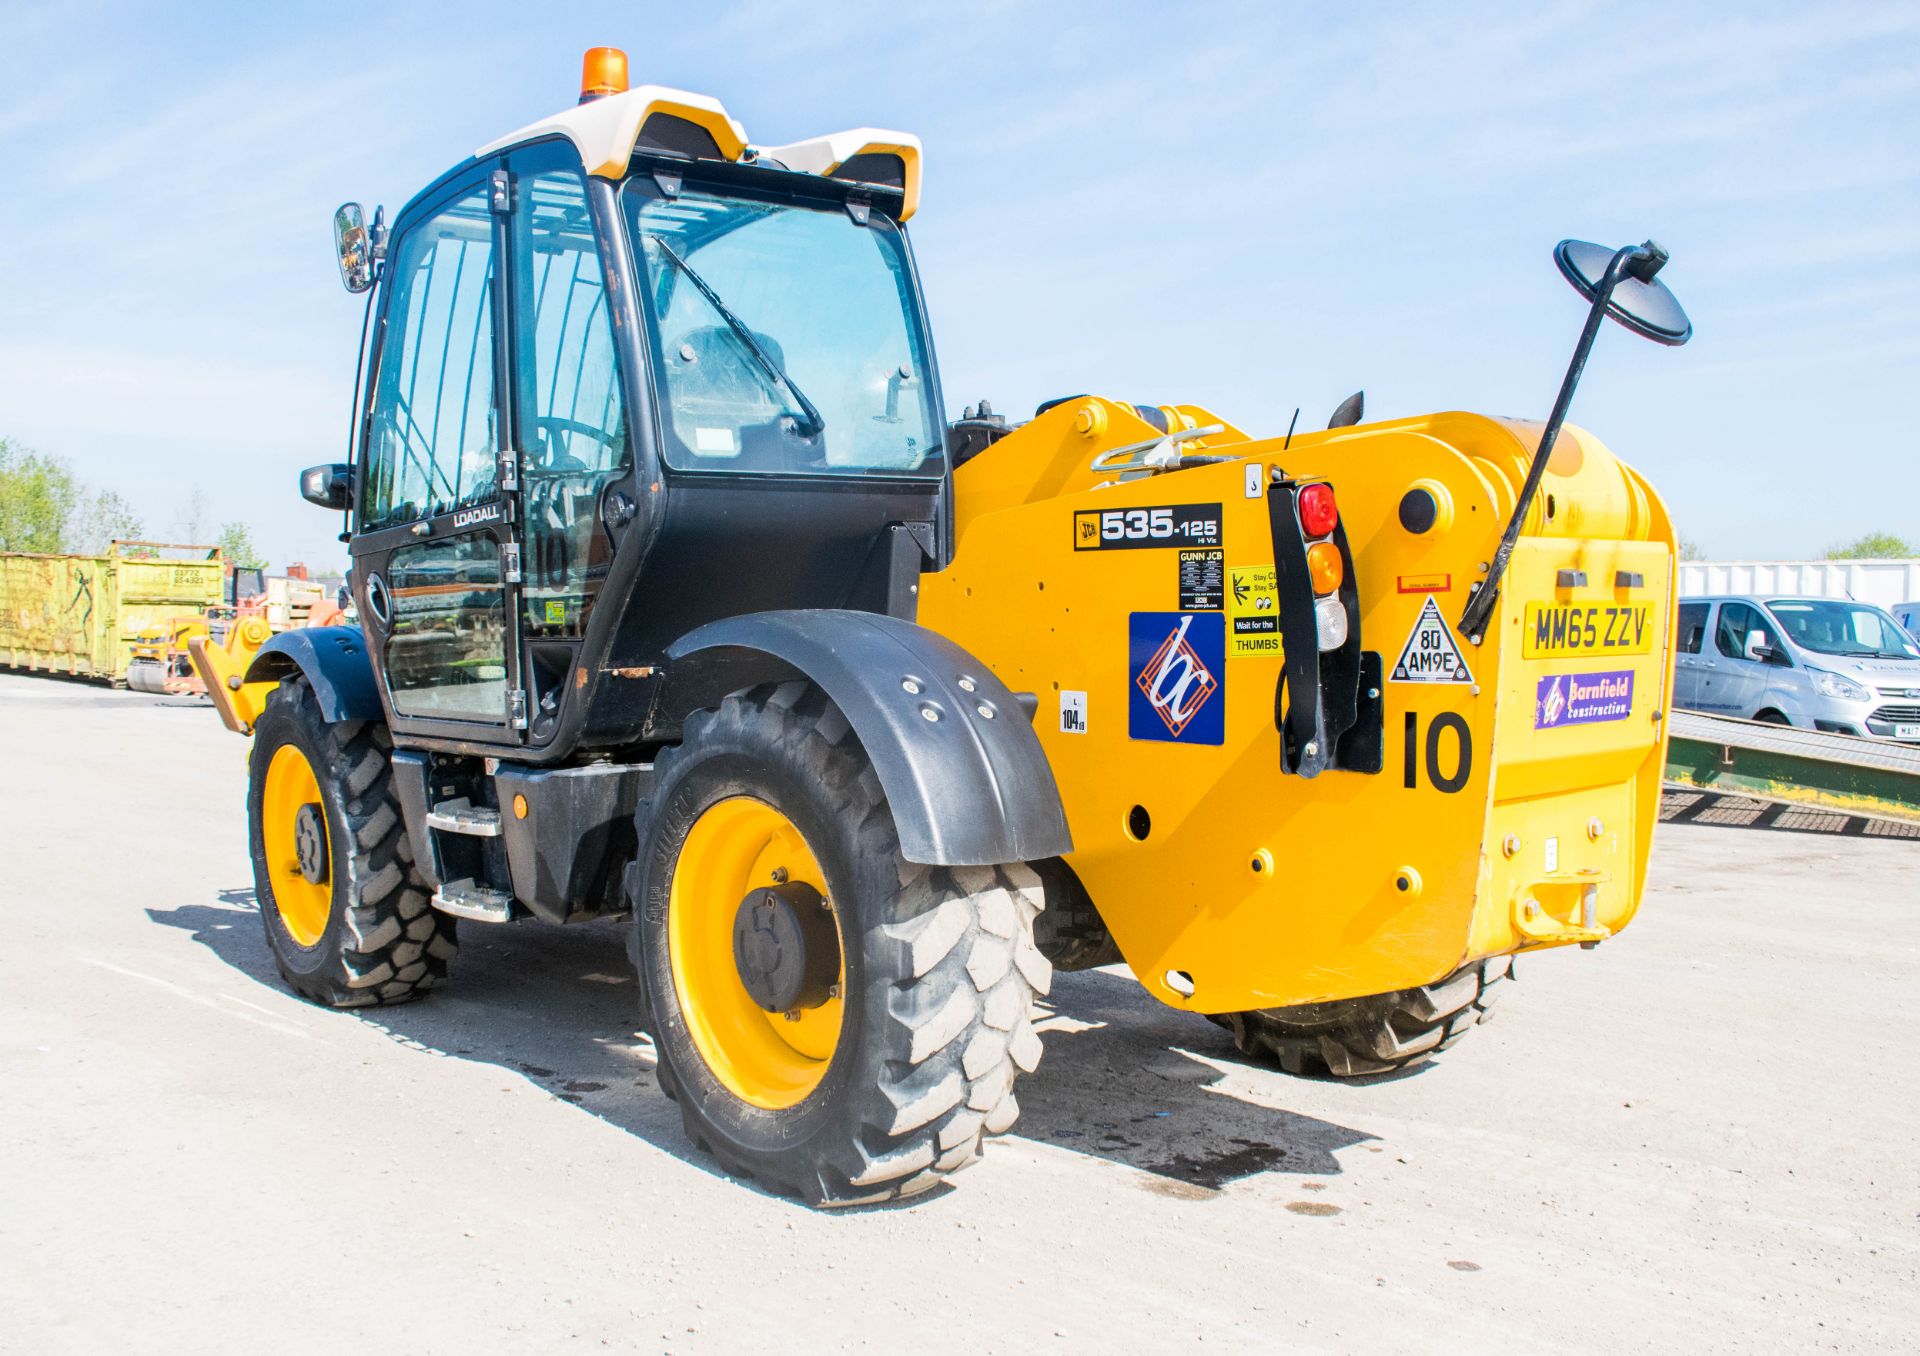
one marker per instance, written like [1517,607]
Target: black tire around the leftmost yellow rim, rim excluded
[383,942]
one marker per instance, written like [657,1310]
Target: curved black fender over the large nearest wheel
[969,788]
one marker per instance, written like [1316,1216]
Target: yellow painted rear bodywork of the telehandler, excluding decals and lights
[1364,884]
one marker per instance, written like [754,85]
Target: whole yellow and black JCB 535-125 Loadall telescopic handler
[683,602]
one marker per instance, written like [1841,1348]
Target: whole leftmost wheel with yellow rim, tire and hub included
[347,917]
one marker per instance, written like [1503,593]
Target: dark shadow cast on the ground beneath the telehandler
[1124,1078]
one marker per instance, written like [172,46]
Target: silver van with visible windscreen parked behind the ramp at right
[1810,662]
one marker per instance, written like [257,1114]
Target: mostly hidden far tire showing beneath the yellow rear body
[1380,1034]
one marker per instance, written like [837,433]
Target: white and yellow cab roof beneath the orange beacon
[654,118]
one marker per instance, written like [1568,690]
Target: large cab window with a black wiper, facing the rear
[786,337]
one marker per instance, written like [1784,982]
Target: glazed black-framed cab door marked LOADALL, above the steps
[437,554]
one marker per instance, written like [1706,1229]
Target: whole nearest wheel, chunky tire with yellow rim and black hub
[832,1019]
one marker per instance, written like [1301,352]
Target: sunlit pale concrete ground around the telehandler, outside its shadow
[1696,1138]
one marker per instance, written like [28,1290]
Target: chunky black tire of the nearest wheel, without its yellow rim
[942,969]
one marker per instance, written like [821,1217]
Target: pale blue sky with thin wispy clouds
[1247,206]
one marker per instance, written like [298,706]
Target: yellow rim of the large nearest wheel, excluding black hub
[765,1059]
